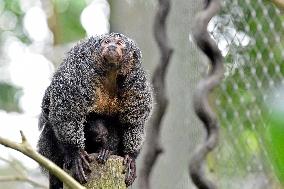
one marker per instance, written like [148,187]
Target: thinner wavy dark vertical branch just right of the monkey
[153,146]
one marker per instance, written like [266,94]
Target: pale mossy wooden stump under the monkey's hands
[106,176]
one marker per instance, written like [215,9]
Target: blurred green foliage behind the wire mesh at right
[250,129]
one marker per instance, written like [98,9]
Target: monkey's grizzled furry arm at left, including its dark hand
[67,116]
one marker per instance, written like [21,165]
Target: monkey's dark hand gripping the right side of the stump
[130,170]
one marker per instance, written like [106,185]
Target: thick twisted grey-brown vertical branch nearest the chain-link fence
[205,86]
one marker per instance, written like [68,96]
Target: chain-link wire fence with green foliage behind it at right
[250,99]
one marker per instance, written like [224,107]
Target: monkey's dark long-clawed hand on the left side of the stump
[78,164]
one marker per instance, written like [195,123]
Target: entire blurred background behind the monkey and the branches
[36,34]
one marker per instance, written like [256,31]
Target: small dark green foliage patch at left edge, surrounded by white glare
[9,97]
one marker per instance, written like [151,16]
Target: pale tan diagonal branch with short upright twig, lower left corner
[26,149]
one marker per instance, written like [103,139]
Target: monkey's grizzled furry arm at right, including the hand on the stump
[138,100]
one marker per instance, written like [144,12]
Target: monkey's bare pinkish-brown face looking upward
[112,49]
